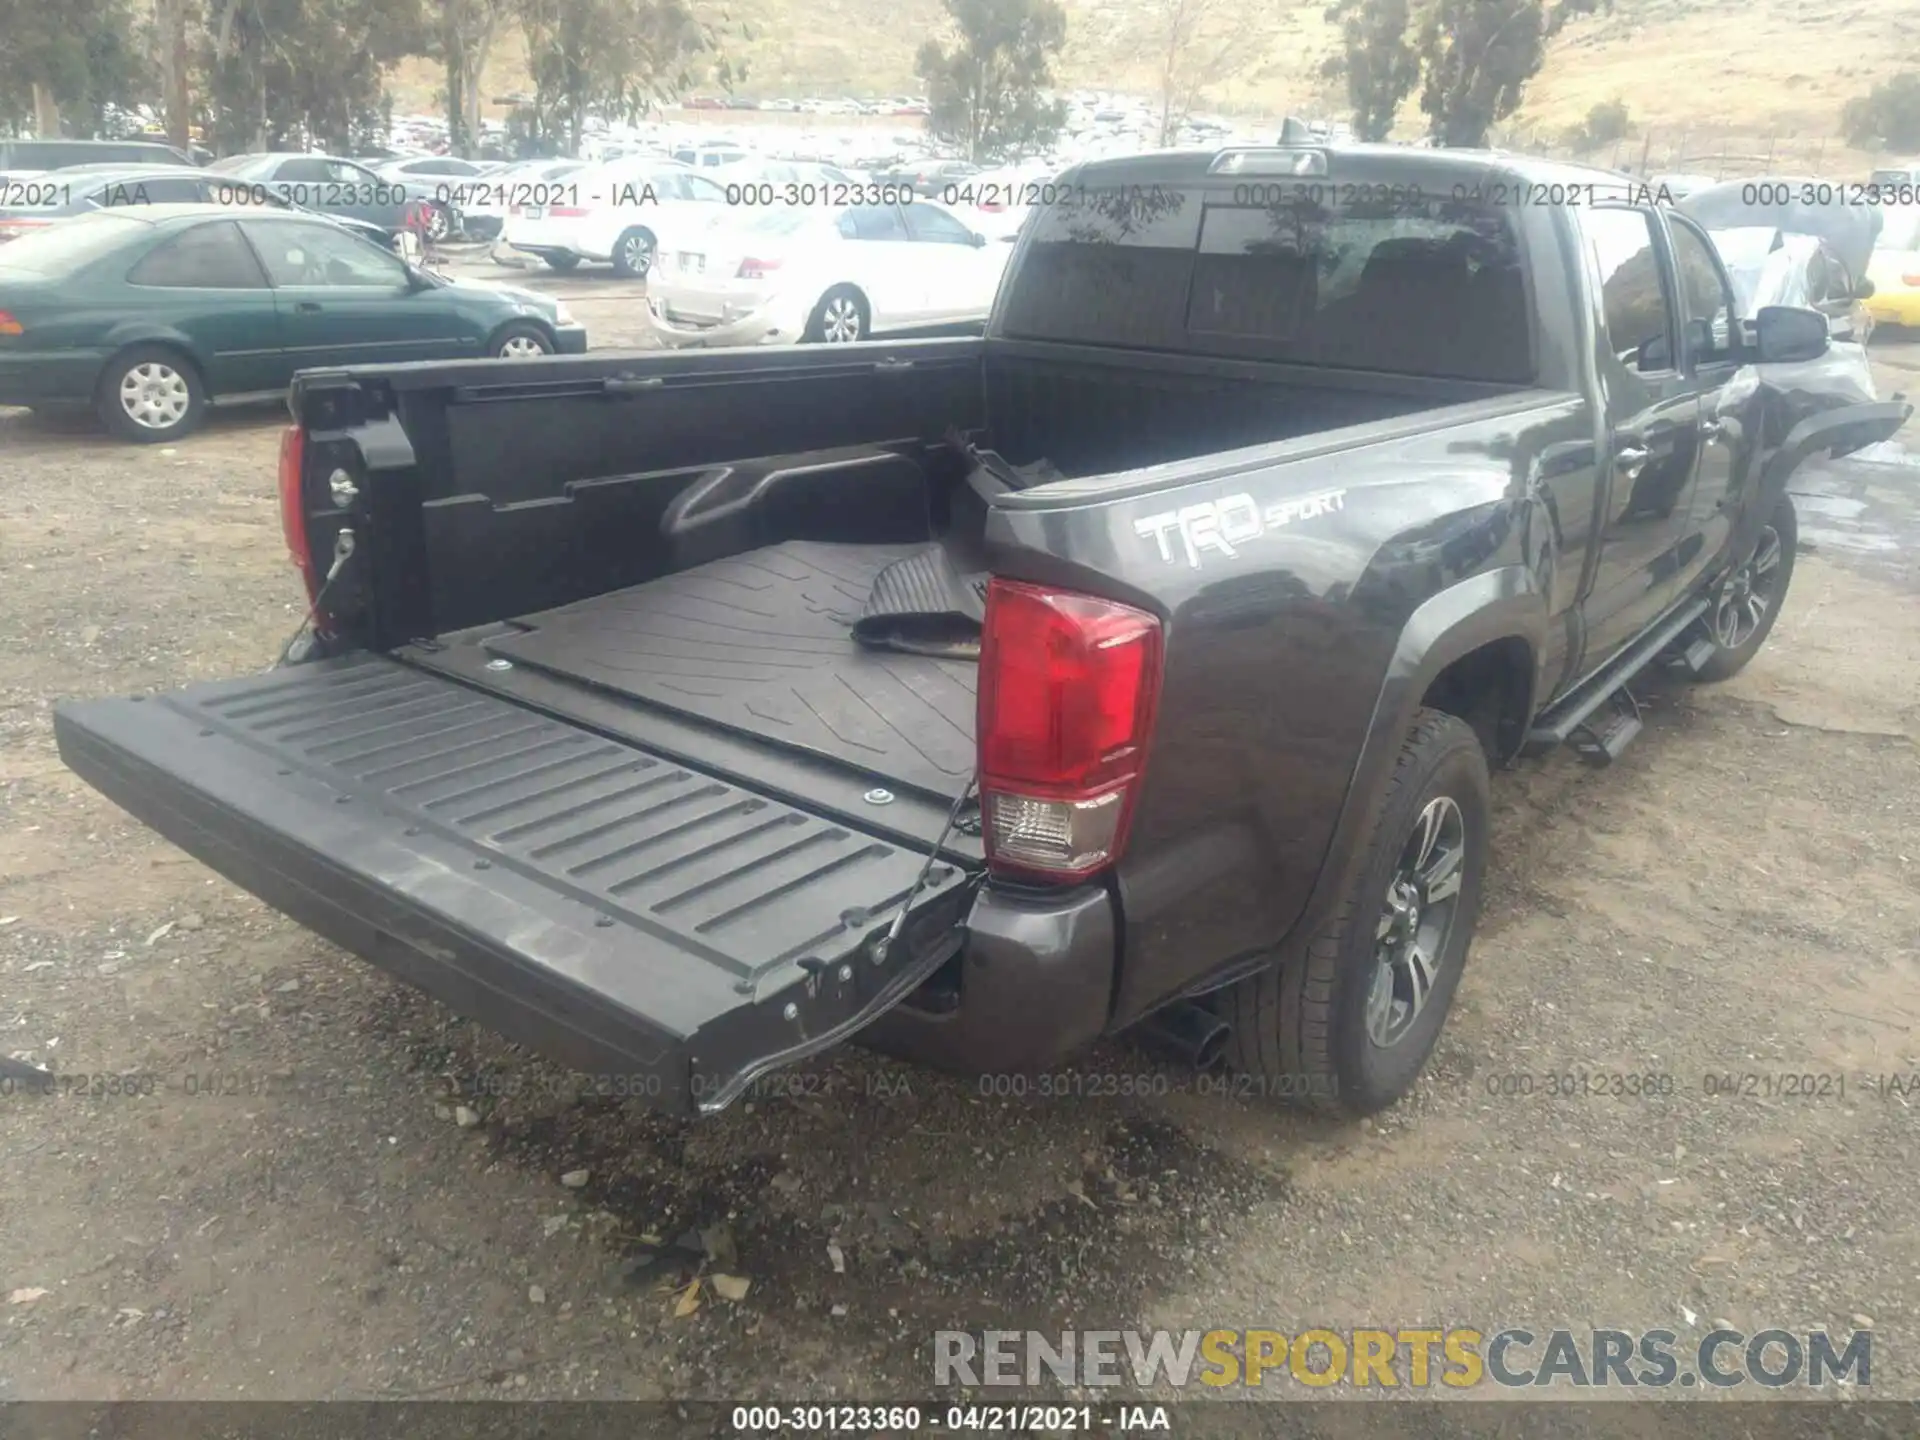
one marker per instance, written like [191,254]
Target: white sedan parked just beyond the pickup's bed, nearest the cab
[827,276]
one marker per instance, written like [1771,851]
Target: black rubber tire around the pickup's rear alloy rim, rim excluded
[1301,1030]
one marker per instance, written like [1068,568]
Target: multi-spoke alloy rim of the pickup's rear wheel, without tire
[1416,923]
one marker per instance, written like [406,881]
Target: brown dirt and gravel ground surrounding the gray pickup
[300,1211]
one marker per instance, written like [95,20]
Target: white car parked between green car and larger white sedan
[619,214]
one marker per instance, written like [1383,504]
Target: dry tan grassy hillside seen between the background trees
[1685,68]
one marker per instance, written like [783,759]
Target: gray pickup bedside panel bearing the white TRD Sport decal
[1287,585]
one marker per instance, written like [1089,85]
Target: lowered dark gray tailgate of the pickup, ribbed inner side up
[612,909]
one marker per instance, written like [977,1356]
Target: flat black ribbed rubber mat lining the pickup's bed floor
[763,644]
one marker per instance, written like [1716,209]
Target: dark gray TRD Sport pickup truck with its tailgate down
[1138,663]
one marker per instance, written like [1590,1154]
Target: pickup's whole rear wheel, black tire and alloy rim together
[1349,1024]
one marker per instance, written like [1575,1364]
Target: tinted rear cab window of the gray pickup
[1282,270]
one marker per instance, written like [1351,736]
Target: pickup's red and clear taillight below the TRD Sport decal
[1068,688]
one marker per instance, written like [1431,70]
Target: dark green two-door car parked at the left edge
[151,314]
